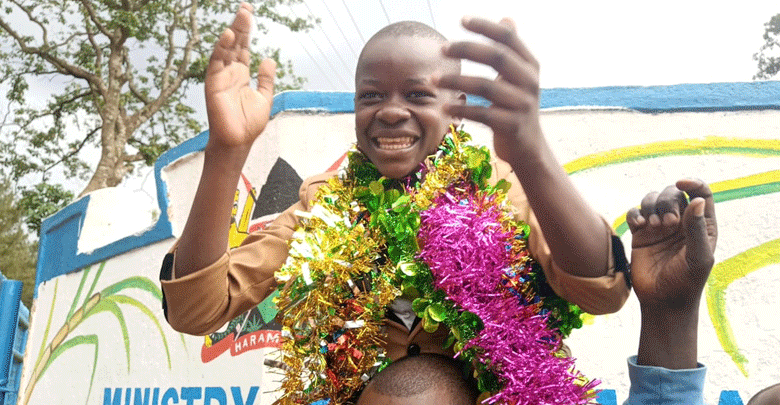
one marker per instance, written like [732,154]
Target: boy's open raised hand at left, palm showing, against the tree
[237,112]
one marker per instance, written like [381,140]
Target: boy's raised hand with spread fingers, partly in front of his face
[514,94]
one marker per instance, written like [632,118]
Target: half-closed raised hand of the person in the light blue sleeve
[672,254]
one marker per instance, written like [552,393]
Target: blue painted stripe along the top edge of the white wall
[58,254]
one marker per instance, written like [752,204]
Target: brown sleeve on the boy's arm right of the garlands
[595,295]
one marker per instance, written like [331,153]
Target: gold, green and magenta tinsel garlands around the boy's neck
[444,238]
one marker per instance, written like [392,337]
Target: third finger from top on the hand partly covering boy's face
[499,92]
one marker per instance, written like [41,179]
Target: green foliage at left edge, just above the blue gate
[17,253]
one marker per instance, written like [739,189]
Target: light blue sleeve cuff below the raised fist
[657,385]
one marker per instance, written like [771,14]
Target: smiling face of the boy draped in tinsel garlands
[399,115]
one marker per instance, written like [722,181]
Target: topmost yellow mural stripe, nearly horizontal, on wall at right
[694,146]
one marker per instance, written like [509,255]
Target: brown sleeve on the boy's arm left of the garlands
[201,302]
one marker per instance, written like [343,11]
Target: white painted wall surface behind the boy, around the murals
[310,143]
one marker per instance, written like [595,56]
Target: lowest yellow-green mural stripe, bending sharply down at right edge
[723,274]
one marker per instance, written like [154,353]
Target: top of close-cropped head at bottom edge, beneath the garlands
[413,375]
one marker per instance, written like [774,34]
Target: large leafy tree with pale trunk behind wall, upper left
[122,68]
